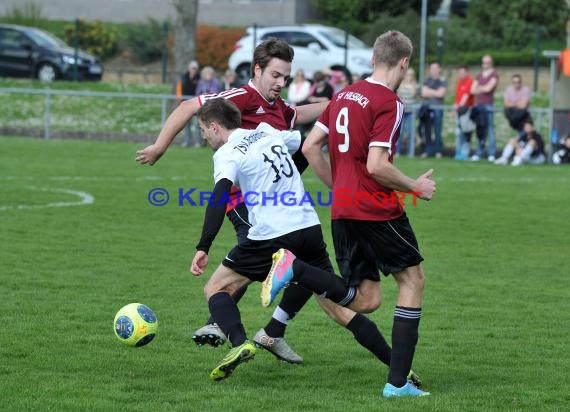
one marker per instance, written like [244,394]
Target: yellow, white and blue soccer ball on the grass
[135,324]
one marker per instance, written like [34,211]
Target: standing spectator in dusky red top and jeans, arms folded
[484,88]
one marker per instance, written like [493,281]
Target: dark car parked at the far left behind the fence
[31,52]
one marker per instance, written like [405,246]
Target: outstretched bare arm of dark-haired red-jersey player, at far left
[173,125]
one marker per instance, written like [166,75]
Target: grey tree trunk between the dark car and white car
[185,23]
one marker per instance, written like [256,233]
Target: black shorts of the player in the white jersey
[252,258]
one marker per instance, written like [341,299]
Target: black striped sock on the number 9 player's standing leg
[404,340]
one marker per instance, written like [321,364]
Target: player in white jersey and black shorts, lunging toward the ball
[260,161]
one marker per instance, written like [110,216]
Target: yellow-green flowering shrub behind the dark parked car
[93,37]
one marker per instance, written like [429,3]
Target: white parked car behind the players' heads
[316,47]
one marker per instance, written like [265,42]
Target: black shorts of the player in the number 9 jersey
[363,247]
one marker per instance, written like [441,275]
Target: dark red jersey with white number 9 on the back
[364,115]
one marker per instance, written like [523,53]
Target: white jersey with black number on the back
[259,162]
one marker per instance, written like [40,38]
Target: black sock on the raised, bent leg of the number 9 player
[323,283]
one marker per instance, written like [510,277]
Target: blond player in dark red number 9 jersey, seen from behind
[361,126]
